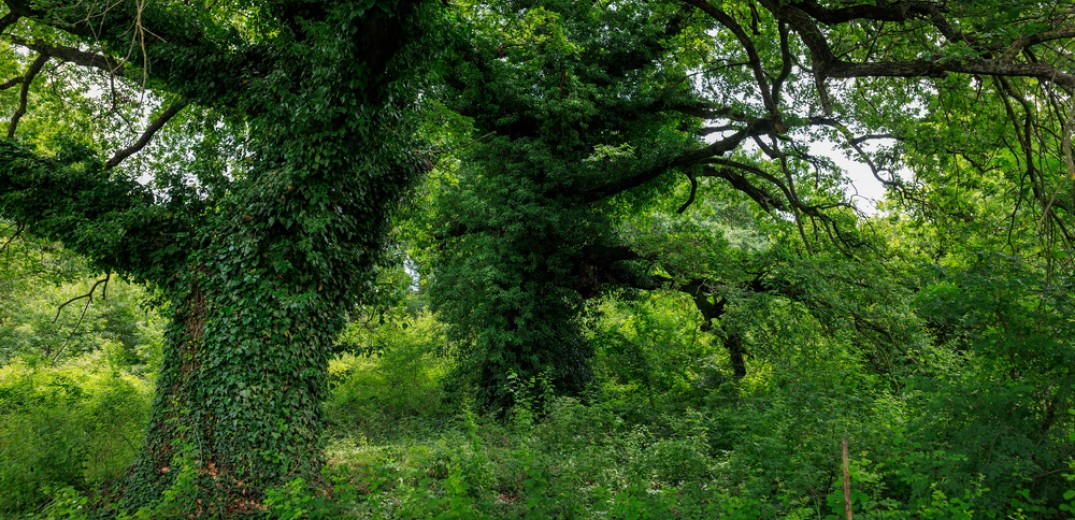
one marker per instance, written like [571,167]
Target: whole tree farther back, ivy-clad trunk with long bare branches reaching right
[586,112]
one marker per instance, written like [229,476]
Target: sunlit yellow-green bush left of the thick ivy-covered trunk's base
[79,424]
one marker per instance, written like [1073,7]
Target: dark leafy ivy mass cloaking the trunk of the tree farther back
[568,99]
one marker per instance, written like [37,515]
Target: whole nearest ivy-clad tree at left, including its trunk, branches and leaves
[262,250]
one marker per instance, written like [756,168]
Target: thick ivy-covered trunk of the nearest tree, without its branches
[257,306]
